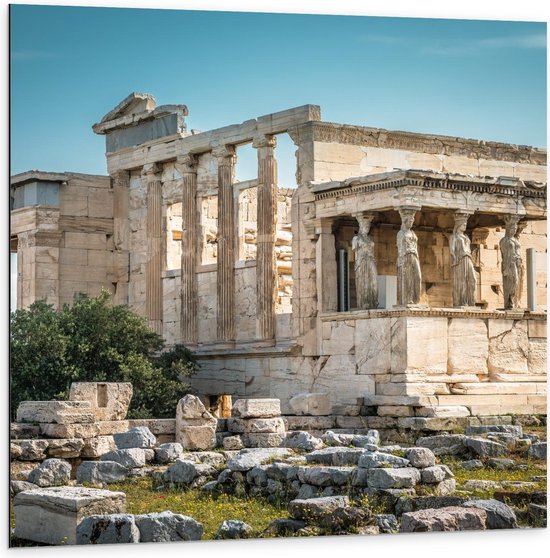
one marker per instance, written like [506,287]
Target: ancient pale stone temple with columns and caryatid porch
[404,276]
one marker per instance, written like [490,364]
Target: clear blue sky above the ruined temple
[71,65]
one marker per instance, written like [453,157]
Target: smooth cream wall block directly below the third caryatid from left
[468,346]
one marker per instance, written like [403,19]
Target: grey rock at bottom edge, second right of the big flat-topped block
[167,526]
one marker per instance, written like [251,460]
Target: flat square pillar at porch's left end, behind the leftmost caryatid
[327,283]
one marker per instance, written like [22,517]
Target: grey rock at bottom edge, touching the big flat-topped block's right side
[107,529]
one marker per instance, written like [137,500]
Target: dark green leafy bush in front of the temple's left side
[93,341]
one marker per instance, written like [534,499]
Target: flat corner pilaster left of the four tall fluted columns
[121,236]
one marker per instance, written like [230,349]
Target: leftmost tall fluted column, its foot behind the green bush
[153,273]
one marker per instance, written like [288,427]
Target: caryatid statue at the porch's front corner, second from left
[409,277]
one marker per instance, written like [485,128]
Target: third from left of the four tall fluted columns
[226,243]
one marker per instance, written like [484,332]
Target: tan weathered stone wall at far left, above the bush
[69,248]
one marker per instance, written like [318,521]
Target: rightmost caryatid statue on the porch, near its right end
[512,262]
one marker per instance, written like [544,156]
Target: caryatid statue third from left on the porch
[463,275]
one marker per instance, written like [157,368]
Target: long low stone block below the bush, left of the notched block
[56,412]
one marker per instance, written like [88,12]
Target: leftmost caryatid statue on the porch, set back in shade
[366,274]
